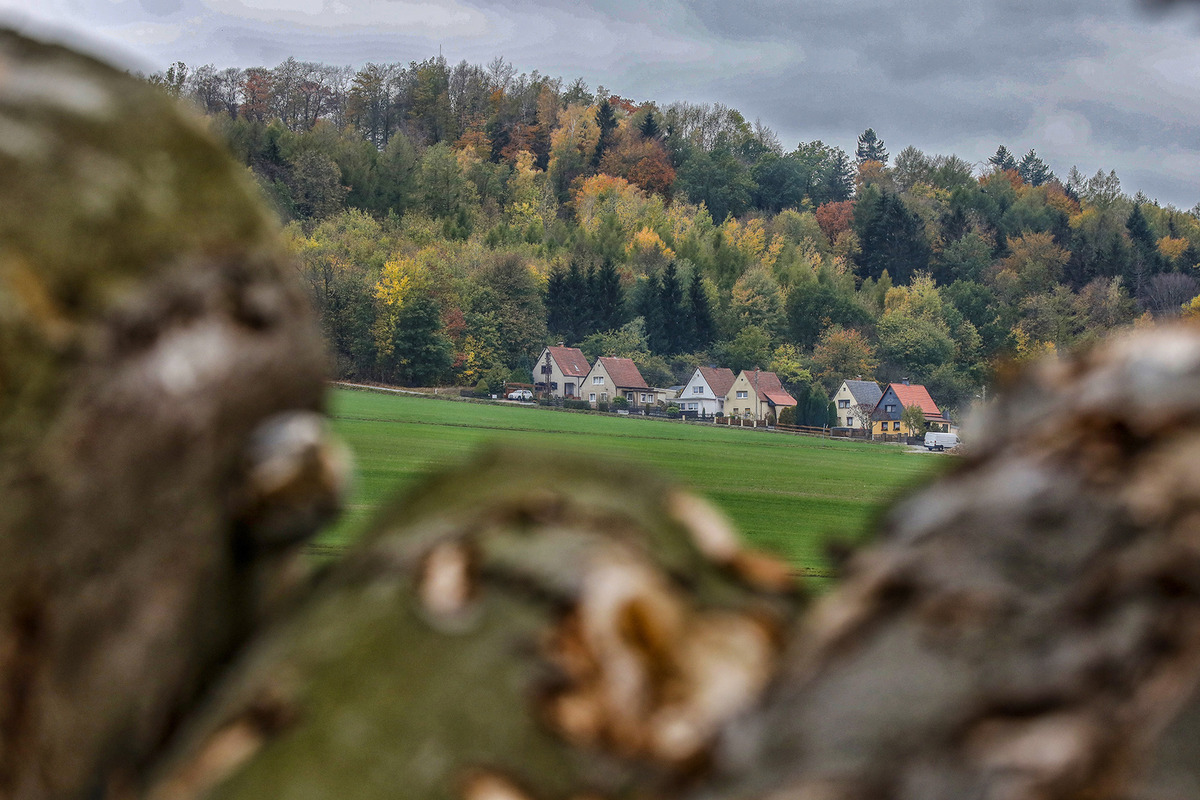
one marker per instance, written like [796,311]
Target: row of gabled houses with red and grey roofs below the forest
[752,395]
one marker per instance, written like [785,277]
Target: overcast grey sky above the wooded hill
[1101,85]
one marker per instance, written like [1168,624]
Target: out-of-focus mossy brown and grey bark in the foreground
[1028,627]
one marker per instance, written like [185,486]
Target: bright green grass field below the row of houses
[789,495]
